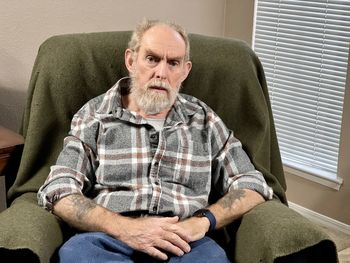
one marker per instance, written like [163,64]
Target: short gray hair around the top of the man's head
[145,24]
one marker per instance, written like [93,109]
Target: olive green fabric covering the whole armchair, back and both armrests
[226,74]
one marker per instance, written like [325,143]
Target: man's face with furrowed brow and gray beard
[157,69]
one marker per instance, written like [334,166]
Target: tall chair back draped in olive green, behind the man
[71,69]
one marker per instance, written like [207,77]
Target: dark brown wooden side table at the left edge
[11,145]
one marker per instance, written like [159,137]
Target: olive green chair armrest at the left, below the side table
[29,233]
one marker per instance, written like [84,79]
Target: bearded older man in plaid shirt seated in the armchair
[140,161]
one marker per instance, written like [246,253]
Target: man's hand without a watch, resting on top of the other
[154,236]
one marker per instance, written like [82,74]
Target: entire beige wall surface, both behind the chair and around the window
[26,24]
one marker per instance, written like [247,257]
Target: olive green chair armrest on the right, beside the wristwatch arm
[272,230]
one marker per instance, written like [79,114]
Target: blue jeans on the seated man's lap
[97,247]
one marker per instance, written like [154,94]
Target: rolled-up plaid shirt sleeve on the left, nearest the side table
[76,164]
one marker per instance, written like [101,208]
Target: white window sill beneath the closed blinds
[332,183]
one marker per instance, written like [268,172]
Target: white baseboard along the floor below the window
[321,219]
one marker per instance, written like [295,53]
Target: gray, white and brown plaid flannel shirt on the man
[124,164]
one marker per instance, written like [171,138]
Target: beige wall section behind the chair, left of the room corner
[24,25]
